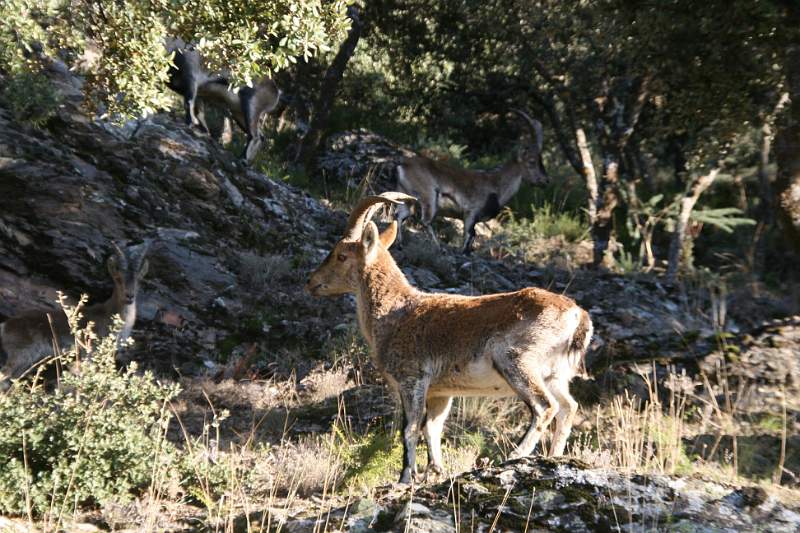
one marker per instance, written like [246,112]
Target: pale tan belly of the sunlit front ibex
[475,378]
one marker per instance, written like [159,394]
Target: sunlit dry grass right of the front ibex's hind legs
[665,434]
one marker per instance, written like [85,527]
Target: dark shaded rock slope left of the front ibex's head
[67,192]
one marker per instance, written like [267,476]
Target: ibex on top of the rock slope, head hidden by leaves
[246,106]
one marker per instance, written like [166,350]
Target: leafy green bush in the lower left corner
[98,437]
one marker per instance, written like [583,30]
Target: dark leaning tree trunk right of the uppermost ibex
[330,85]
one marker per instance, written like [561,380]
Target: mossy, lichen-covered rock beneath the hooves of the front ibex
[535,494]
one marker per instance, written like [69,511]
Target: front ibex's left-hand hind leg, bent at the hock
[531,389]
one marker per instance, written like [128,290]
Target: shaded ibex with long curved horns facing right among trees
[473,195]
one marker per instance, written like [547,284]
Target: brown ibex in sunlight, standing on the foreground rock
[431,347]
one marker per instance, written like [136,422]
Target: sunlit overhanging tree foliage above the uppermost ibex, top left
[121,44]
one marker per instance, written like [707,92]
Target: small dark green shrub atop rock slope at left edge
[31,98]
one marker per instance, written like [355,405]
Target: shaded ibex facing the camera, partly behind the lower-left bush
[27,338]
